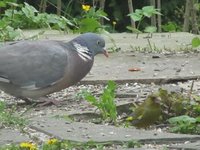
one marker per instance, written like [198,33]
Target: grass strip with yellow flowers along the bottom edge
[55,144]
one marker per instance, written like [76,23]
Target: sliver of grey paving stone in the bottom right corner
[188,146]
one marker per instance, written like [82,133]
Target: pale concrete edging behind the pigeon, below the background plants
[128,41]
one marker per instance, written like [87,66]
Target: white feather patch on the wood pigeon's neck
[83,51]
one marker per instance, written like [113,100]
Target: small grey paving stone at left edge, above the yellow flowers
[8,136]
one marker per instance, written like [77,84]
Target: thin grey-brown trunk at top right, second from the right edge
[187,16]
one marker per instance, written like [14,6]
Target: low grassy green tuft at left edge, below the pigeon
[9,118]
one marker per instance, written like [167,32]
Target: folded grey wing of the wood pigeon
[33,65]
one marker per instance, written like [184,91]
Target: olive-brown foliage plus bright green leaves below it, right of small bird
[181,112]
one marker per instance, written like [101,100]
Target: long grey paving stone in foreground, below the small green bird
[83,132]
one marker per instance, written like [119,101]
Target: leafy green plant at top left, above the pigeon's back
[26,17]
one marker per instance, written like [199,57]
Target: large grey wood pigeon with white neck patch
[34,69]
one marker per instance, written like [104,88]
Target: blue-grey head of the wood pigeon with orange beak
[93,43]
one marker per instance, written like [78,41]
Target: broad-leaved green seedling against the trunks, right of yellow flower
[140,14]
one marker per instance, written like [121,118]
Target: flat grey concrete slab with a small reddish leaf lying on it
[164,69]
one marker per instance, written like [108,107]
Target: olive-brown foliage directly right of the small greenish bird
[177,104]
